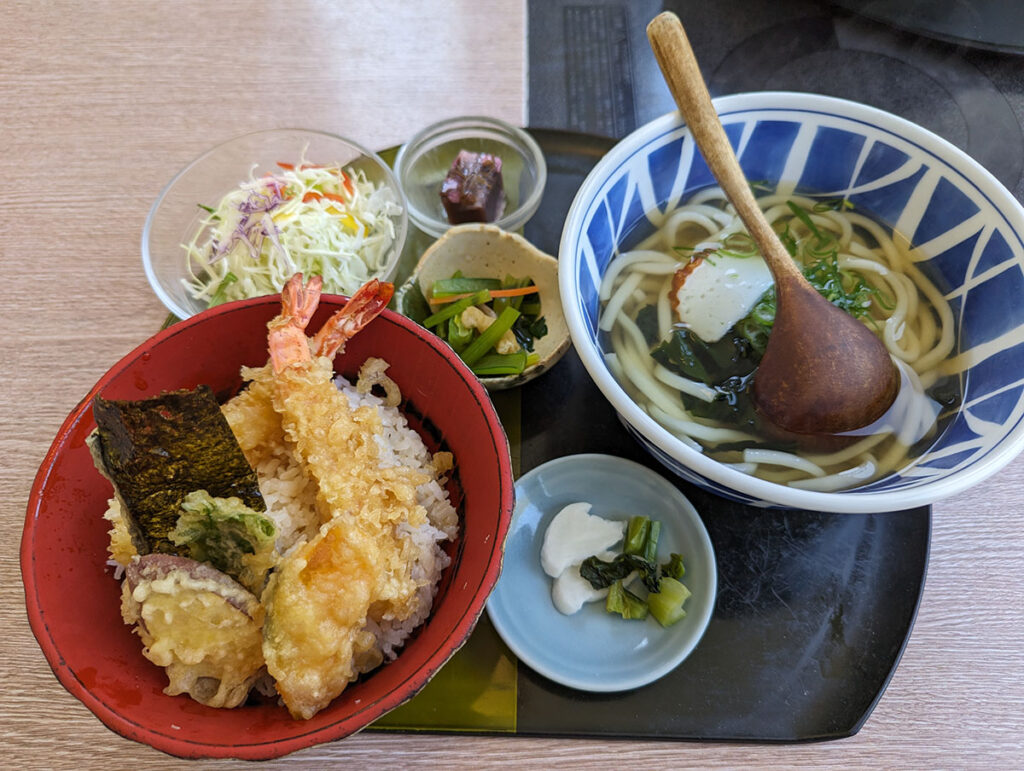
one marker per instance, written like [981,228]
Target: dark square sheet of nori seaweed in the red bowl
[157,451]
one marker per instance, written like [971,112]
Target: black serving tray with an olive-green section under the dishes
[813,614]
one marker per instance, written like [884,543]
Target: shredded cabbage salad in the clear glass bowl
[321,221]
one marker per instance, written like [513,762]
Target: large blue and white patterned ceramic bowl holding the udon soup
[969,226]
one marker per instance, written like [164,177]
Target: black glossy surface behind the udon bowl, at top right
[583,52]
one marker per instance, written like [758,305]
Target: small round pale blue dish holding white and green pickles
[594,651]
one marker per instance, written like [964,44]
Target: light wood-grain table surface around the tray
[102,103]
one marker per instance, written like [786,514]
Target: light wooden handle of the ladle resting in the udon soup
[679,66]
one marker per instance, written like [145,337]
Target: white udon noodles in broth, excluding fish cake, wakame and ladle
[884,285]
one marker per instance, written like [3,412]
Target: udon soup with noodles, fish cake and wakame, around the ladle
[687,315]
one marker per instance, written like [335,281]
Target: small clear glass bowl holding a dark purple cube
[424,161]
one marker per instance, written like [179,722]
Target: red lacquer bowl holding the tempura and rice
[73,599]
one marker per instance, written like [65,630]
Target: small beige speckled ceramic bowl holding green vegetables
[487,251]
